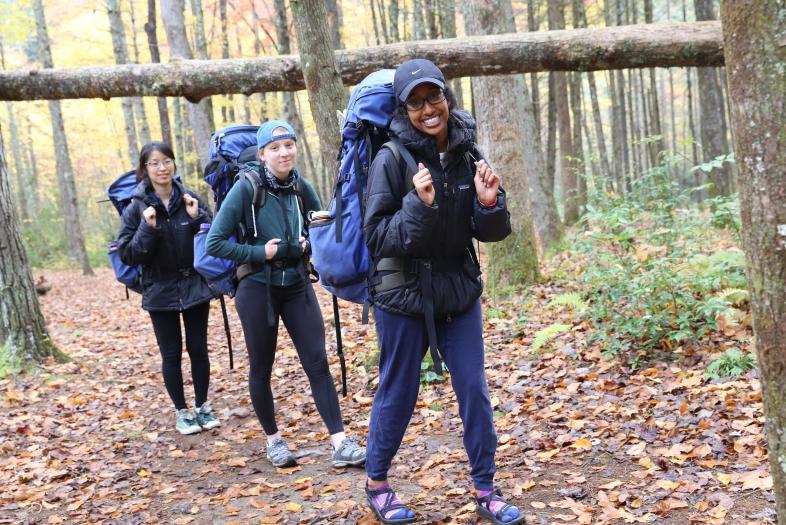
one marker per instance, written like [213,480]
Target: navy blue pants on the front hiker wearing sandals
[403,342]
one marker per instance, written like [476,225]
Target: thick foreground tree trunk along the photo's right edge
[757,87]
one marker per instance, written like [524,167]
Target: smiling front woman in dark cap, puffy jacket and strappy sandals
[426,284]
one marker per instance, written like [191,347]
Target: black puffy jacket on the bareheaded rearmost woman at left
[166,252]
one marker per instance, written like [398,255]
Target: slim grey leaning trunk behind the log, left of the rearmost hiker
[69,205]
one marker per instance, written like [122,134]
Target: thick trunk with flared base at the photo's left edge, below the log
[24,340]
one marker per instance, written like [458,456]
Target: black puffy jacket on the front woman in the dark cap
[399,225]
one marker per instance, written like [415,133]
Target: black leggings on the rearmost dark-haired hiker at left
[166,325]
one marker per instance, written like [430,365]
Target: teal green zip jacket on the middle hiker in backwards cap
[280,218]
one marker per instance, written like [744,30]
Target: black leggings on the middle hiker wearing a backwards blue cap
[297,306]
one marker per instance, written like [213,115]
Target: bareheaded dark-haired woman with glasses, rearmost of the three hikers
[157,231]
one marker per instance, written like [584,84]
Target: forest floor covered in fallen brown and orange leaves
[582,439]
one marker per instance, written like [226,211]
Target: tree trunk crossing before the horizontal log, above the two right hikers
[326,94]
